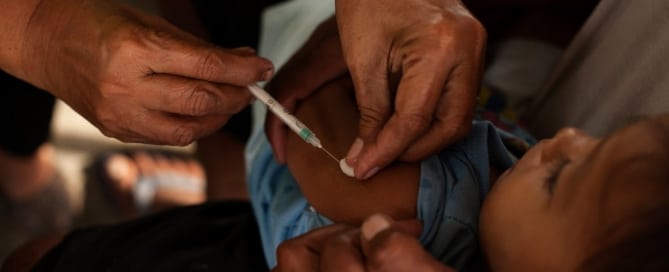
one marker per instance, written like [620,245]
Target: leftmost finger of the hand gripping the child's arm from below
[303,252]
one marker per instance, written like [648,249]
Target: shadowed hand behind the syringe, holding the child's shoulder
[318,62]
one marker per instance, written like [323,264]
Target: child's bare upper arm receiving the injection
[332,114]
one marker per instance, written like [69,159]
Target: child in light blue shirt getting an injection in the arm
[572,202]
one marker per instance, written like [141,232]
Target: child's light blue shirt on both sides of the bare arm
[452,187]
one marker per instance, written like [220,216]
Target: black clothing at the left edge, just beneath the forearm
[25,113]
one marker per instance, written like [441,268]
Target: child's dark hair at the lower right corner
[640,241]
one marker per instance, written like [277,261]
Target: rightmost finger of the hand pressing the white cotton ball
[453,116]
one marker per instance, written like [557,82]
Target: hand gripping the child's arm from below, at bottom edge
[379,245]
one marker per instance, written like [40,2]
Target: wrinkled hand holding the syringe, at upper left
[135,76]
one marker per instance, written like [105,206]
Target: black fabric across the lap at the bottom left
[220,236]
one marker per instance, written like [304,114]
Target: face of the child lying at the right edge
[543,212]
